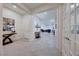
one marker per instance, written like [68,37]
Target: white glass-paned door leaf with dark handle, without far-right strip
[69,30]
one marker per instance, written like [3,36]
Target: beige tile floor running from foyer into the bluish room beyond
[45,46]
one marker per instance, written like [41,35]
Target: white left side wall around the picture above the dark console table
[18,21]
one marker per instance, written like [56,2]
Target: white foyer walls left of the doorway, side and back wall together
[23,24]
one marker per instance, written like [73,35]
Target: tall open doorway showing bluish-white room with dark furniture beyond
[45,25]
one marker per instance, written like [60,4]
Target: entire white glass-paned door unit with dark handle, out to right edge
[71,30]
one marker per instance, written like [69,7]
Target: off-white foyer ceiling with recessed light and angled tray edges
[23,8]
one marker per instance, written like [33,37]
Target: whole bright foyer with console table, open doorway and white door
[39,29]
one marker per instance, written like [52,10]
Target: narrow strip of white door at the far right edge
[77,29]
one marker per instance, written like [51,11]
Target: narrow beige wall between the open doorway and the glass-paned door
[59,30]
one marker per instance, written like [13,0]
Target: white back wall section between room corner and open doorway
[27,29]
